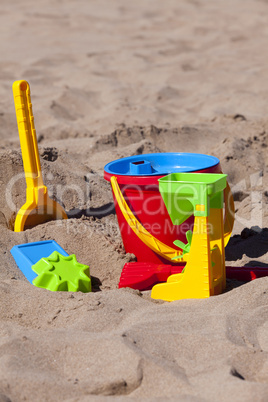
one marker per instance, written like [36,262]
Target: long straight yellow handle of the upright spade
[27,134]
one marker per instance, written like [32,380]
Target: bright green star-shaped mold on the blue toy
[61,273]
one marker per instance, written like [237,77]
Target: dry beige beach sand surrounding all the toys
[112,79]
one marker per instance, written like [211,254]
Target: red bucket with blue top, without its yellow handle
[141,192]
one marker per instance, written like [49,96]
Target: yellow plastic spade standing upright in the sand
[39,208]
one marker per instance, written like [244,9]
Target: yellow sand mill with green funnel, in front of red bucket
[204,274]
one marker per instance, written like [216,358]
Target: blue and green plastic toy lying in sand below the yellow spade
[47,265]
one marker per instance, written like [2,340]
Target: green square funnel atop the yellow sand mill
[185,194]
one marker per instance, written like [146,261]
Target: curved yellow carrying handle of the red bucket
[152,242]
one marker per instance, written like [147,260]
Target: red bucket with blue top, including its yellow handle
[146,228]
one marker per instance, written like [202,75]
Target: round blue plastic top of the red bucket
[160,164]
